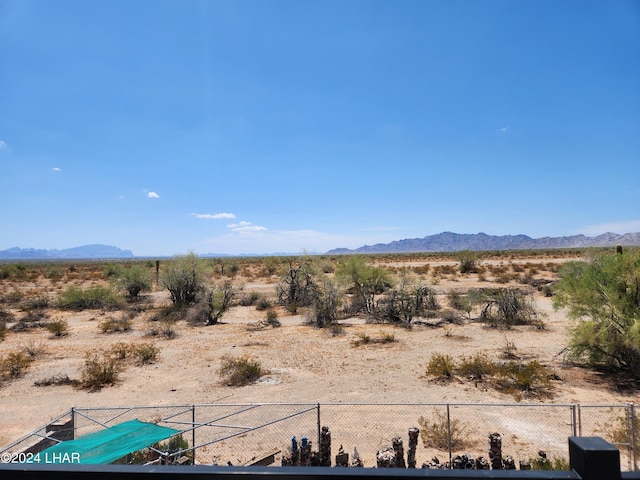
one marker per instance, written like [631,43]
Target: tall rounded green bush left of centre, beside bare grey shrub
[183,277]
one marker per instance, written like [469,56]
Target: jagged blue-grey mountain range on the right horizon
[455,242]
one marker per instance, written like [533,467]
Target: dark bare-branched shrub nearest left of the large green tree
[506,307]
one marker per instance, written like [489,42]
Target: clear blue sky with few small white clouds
[281,126]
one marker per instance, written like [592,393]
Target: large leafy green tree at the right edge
[604,296]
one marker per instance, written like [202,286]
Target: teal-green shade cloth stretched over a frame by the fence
[107,445]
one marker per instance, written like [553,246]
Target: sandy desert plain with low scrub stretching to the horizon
[353,361]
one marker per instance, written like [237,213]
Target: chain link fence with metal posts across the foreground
[244,433]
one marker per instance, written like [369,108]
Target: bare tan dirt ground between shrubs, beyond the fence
[305,364]
